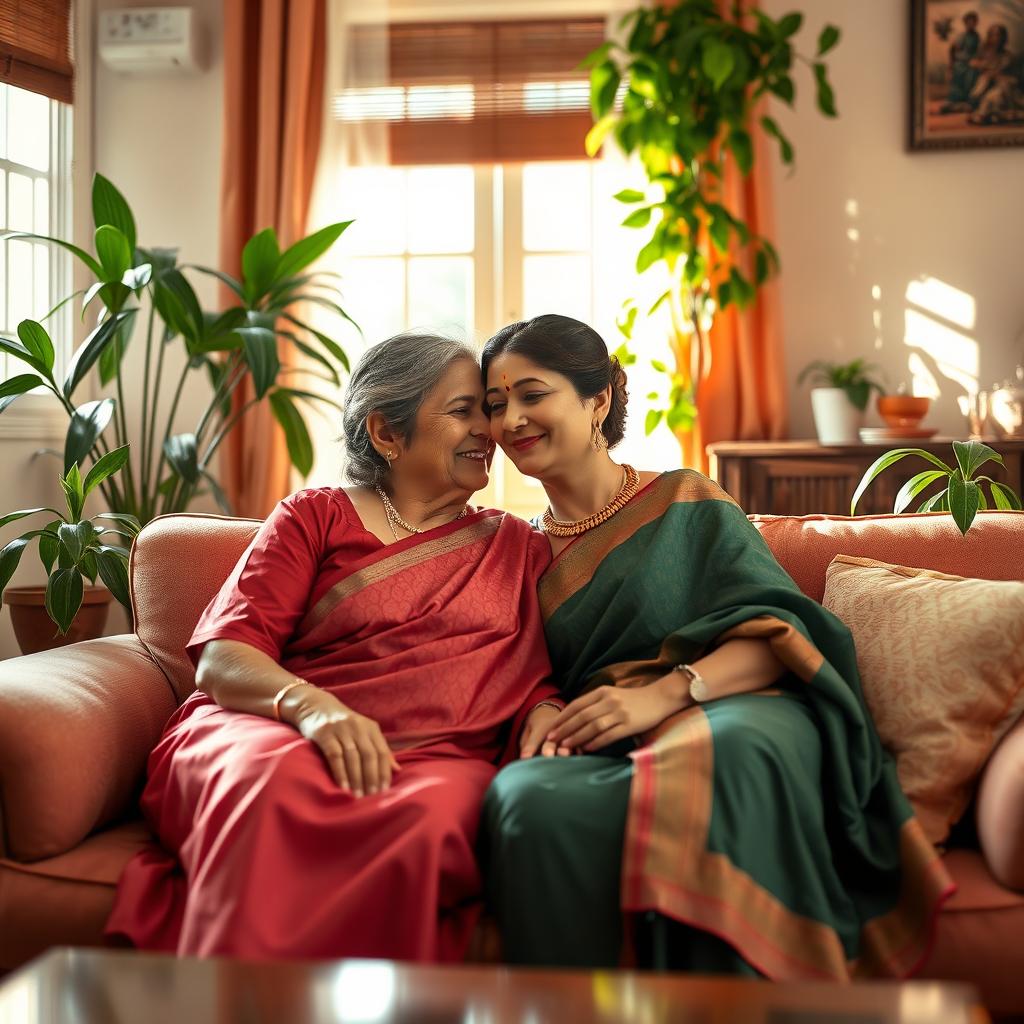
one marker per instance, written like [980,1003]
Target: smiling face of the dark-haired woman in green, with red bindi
[537,416]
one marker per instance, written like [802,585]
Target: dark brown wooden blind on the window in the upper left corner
[35,47]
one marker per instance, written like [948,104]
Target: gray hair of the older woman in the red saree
[393,378]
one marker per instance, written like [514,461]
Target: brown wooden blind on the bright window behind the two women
[474,93]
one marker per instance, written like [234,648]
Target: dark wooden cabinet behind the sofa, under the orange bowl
[804,478]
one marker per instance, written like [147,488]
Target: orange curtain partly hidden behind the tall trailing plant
[744,395]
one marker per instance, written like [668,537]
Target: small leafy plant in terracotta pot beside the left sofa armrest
[72,549]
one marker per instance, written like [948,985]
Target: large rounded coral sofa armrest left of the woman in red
[77,726]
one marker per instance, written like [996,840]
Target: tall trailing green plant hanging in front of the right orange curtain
[692,78]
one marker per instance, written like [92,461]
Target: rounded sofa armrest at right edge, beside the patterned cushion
[1001,809]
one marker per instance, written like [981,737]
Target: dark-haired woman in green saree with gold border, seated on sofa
[732,802]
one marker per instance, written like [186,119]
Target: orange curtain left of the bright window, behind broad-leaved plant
[275,54]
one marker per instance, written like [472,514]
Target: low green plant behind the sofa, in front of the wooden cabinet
[960,488]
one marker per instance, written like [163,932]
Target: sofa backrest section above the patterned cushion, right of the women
[993,549]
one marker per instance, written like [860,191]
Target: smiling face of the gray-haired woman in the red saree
[451,448]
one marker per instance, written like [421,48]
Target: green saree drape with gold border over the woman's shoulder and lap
[773,821]
